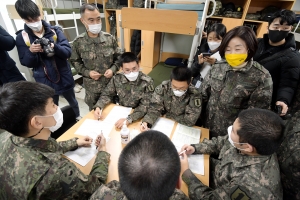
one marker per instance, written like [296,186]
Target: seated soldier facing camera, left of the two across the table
[134,89]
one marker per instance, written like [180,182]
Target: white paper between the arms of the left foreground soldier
[82,155]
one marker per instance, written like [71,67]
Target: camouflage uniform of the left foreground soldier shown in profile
[35,169]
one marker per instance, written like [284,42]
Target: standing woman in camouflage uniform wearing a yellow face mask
[231,86]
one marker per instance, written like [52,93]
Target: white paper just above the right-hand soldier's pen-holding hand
[185,135]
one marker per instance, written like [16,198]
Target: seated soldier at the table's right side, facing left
[247,166]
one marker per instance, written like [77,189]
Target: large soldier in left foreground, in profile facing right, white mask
[32,166]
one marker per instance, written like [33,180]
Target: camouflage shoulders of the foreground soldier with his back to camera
[112,191]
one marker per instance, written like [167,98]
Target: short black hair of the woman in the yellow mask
[246,34]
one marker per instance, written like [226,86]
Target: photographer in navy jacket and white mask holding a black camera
[45,49]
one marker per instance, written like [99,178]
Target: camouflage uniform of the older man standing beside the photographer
[98,54]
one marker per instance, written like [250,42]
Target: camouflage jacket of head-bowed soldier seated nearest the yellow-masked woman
[185,109]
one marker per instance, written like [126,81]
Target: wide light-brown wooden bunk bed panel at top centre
[169,21]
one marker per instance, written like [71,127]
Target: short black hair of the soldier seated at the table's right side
[261,128]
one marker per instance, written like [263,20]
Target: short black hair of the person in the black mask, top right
[287,16]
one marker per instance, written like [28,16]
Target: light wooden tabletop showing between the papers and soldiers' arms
[114,147]
